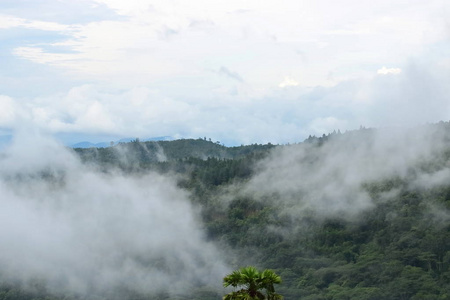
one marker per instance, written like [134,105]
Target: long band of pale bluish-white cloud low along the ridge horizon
[236,113]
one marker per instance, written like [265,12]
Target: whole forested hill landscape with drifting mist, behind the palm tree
[358,215]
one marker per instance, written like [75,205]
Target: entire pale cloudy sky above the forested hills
[238,72]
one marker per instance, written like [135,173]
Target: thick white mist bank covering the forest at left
[84,231]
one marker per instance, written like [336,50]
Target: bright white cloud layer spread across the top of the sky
[139,44]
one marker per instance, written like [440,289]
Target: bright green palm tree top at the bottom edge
[252,282]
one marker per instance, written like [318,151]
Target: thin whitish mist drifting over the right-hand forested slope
[327,177]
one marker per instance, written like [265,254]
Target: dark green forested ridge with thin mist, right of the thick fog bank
[358,215]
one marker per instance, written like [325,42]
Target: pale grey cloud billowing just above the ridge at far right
[416,95]
